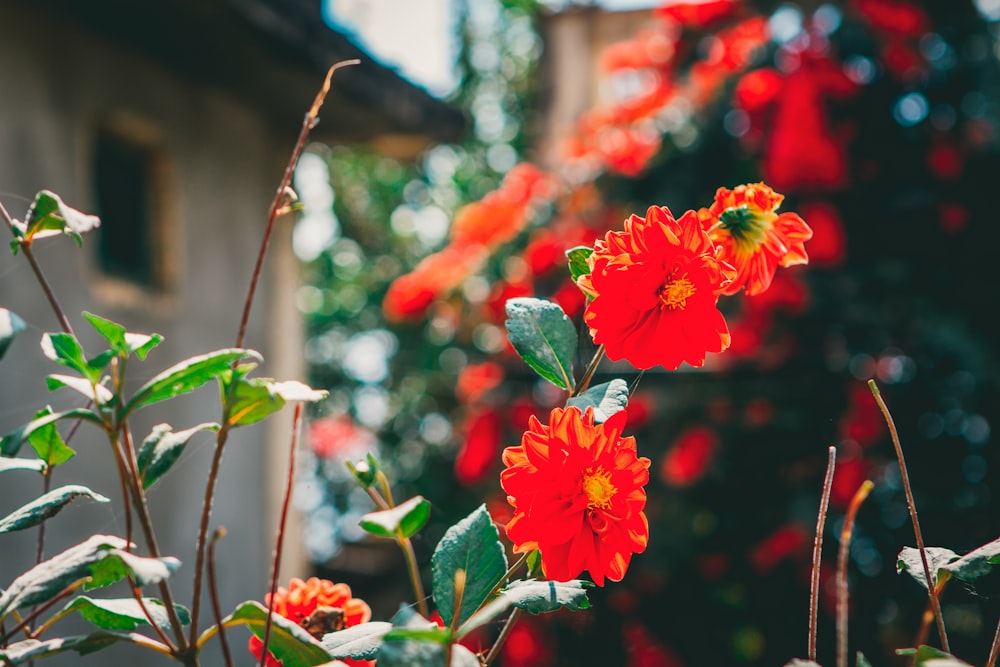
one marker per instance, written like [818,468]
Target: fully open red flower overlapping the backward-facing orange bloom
[655,287]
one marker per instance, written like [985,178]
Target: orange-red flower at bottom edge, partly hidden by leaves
[319,606]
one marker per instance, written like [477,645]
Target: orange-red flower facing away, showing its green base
[753,237]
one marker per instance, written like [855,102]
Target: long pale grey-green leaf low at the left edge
[51,577]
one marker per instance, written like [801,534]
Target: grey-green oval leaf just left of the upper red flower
[544,337]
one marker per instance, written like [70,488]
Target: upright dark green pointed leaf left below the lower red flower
[473,545]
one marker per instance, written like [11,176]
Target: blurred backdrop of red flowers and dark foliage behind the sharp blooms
[878,121]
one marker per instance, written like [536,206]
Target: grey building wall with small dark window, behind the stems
[218,170]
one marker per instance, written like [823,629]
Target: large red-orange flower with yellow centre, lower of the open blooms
[578,497]
